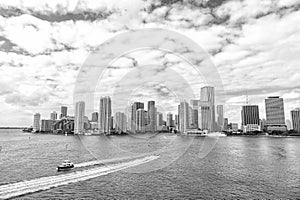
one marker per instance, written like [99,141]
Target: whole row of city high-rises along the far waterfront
[199,114]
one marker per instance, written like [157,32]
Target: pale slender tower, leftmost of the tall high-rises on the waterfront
[79,117]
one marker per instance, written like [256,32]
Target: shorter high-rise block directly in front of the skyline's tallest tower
[205,113]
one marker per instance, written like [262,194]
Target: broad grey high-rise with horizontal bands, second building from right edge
[275,114]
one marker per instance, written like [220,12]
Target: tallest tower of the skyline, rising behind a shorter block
[207,95]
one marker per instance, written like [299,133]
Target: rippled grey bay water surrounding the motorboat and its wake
[237,167]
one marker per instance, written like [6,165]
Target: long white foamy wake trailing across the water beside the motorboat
[44,183]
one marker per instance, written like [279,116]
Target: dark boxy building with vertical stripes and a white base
[250,118]
